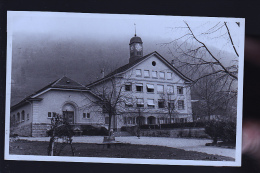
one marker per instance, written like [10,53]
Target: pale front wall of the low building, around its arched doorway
[54,100]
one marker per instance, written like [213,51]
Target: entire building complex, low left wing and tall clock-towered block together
[147,90]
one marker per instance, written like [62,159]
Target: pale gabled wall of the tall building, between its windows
[131,77]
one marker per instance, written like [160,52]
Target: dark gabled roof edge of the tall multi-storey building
[132,64]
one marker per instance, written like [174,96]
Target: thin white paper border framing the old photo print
[237,161]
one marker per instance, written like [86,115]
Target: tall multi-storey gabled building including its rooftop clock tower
[150,90]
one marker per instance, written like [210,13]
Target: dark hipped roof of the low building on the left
[64,83]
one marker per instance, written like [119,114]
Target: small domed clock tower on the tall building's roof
[136,48]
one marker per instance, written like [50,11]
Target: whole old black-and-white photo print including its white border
[124,88]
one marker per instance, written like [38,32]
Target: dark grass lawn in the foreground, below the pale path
[23,147]
